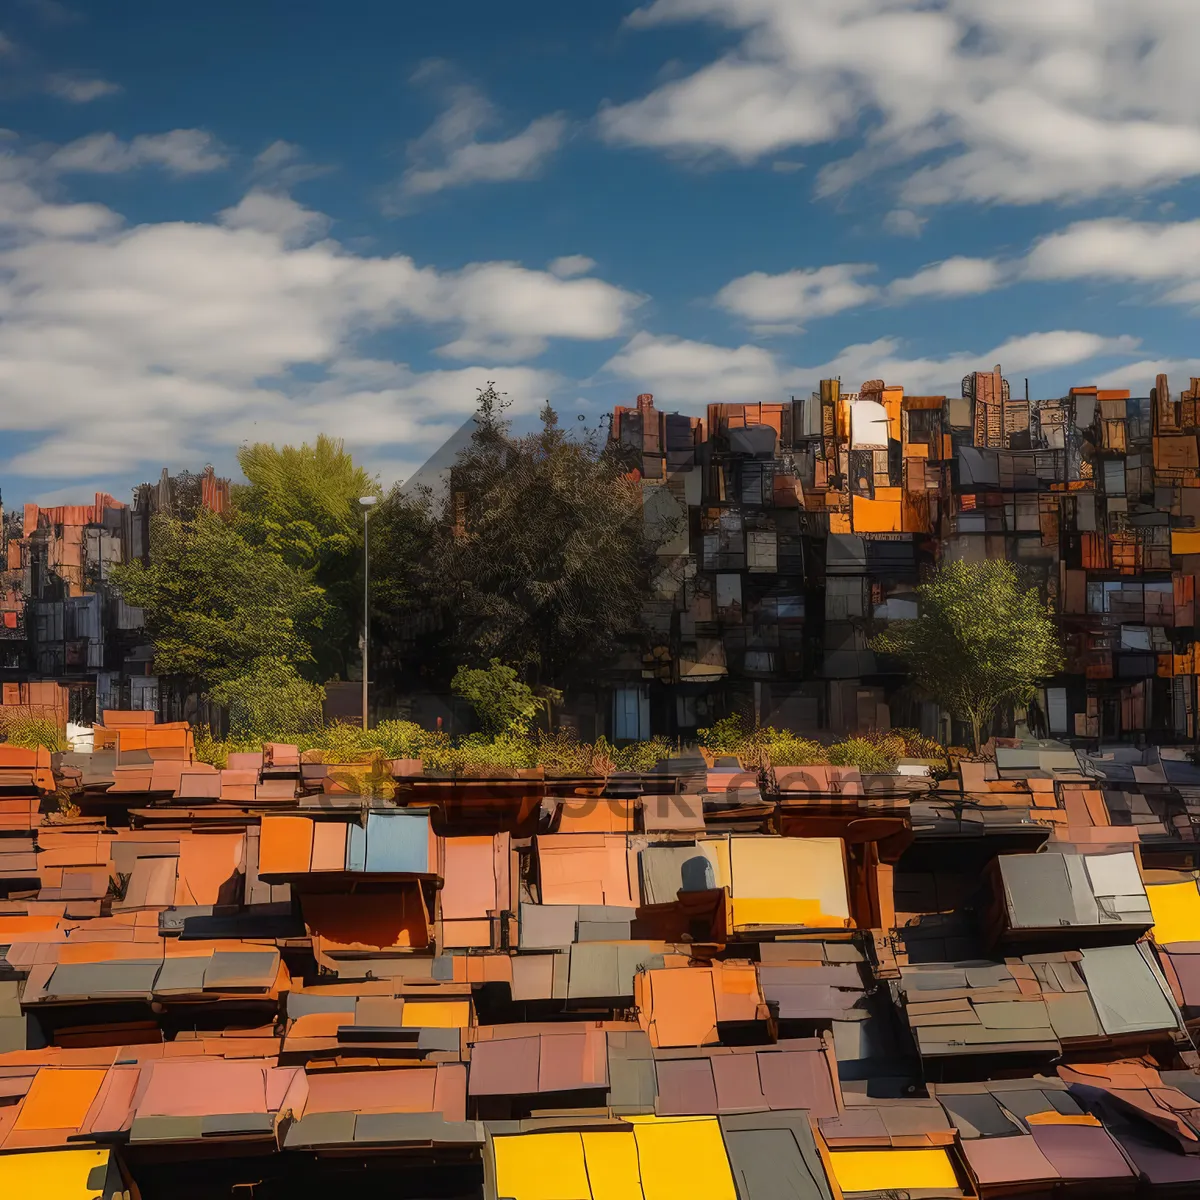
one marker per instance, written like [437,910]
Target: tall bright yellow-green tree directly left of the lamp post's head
[302,503]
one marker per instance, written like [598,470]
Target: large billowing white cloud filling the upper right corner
[1017,101]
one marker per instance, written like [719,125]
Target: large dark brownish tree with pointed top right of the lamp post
[541,557]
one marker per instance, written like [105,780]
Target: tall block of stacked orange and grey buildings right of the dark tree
[795,531]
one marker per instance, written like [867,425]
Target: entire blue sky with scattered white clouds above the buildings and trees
[265,221]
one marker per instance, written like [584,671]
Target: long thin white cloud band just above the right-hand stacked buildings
[689,374]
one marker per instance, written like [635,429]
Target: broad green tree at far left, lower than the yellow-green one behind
[214,604]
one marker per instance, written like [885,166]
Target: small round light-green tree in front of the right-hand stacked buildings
[981,641]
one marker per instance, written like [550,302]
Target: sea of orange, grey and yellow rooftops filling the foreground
[723,980]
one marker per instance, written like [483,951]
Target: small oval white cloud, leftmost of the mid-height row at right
[783,302]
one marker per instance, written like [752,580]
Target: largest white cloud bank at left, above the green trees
[172,343]
